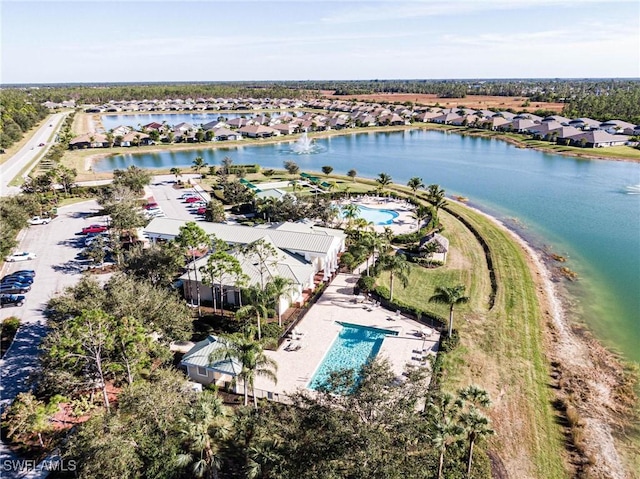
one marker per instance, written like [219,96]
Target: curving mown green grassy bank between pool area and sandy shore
[502,349]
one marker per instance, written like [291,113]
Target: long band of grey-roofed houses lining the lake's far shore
[337,115]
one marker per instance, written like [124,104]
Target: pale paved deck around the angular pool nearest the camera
[320,328]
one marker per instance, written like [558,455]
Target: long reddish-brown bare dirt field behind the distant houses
[471,101]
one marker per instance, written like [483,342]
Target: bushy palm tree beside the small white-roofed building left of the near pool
[244,349]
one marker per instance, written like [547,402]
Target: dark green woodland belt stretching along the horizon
[20,106]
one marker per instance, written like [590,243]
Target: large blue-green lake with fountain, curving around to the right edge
[579,208]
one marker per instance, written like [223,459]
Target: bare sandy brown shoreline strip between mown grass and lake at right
[582,361]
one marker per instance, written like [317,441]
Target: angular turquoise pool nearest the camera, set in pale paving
[354,346]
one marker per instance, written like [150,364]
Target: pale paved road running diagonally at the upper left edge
[14,165]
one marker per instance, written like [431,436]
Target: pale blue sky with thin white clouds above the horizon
[109,41]
